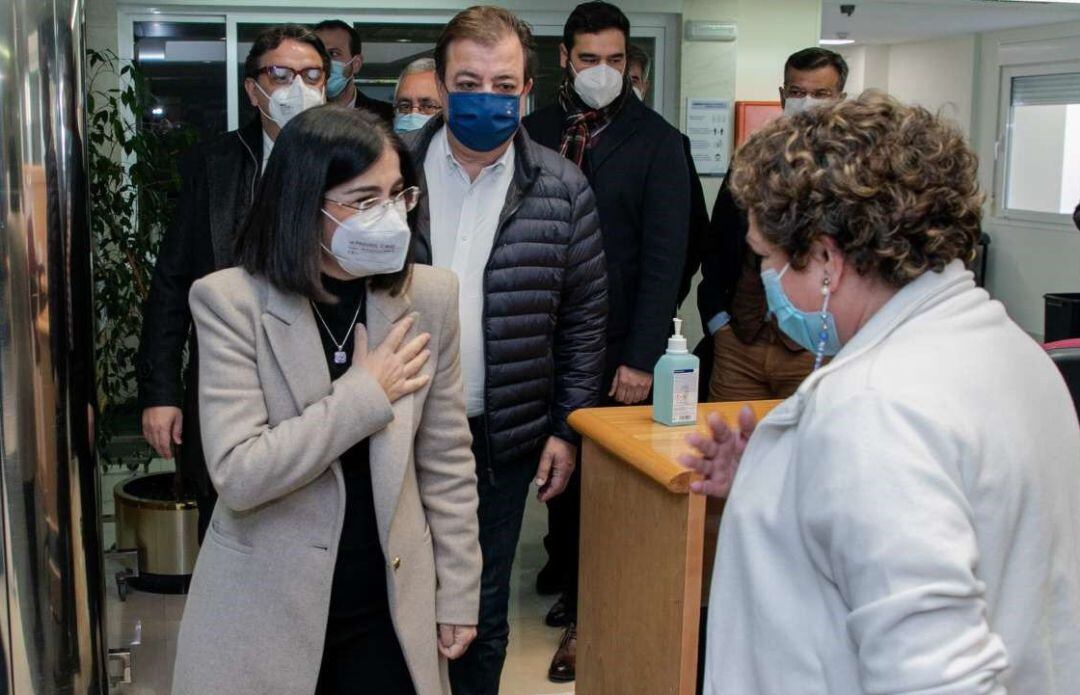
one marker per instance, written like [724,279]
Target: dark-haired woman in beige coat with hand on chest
[343,556]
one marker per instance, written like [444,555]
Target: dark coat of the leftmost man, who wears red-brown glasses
[219,182]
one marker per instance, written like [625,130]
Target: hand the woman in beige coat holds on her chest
[396,364]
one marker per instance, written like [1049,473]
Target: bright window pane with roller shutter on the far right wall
[1044,129]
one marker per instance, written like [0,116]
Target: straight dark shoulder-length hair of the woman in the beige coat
[319,149]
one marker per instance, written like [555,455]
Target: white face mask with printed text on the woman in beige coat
[367,246]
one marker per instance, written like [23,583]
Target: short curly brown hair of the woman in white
[895,186]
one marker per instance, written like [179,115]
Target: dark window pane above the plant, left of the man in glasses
[185,64]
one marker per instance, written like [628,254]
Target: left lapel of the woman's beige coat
[294,338]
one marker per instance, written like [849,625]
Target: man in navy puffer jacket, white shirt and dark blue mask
[519,226]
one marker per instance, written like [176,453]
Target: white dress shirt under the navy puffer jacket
[465,219]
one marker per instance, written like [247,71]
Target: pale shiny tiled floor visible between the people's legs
[152,621]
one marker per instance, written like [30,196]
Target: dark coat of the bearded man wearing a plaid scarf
[641,179]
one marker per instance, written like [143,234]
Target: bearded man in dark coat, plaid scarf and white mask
[636,163]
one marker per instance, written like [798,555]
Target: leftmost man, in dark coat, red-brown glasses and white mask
[285,74]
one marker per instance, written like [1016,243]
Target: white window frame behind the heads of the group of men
[664,29]
